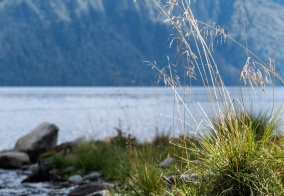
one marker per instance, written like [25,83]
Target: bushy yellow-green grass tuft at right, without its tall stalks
[242,158]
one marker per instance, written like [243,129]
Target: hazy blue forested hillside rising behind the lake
[104,42]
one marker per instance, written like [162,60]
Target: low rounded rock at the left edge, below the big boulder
[13,160]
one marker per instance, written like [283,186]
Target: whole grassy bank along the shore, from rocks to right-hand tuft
[242,157]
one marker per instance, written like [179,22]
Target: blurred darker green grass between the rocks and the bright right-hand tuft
[123,160]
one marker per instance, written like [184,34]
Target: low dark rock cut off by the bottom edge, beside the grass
[88,189]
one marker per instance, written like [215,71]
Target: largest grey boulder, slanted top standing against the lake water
[38,141]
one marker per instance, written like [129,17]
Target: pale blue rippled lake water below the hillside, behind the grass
[96,112]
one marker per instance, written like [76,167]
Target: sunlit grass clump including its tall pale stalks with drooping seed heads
[240,152]
